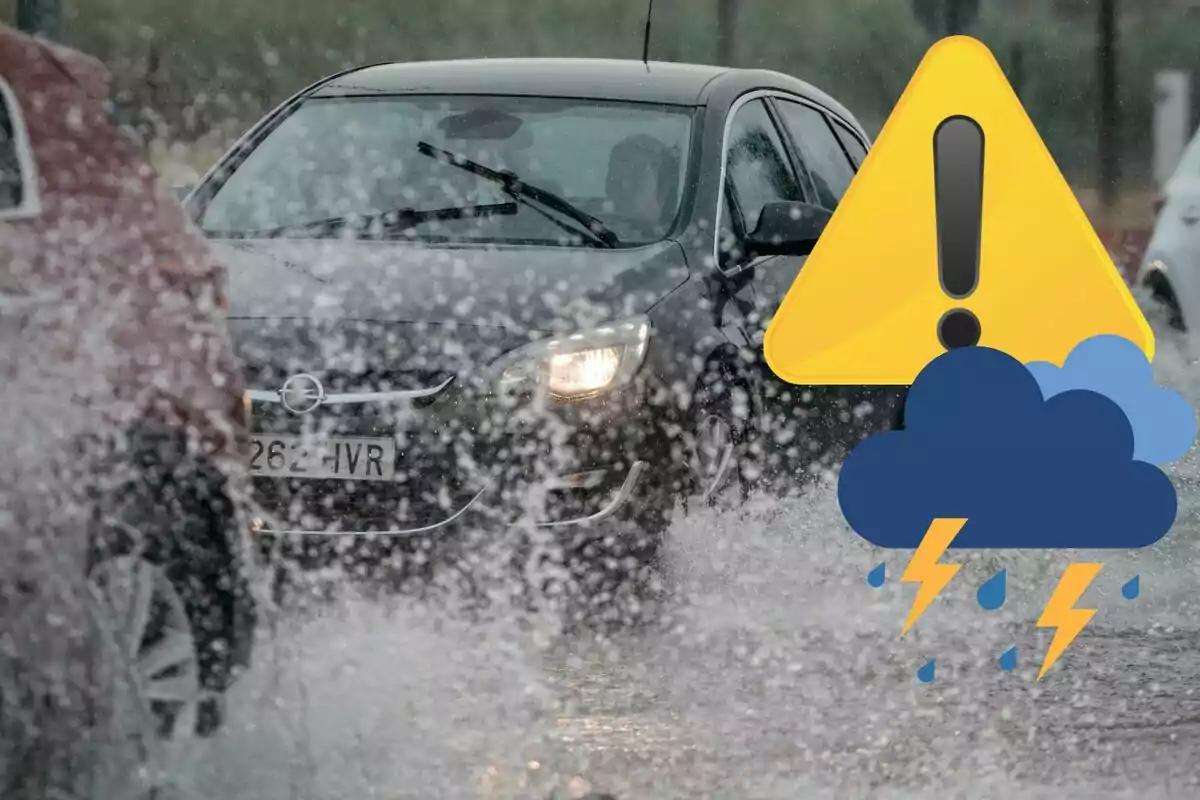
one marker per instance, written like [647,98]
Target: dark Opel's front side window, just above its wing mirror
[758,169]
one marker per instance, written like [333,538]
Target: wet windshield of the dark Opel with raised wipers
[580,166]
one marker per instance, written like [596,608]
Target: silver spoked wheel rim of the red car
[146,622]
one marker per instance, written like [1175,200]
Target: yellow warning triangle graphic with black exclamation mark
[867,306]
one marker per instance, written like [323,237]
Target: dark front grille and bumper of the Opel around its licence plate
[435,436]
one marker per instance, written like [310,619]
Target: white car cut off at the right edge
[1172,260]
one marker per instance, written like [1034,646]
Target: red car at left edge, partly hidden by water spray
[124,436]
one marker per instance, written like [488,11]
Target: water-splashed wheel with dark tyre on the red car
[169,530]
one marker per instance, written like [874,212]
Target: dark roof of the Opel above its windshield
[656,82]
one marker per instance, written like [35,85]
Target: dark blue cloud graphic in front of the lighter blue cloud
[981,443]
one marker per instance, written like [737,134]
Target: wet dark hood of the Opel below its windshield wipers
[525,288]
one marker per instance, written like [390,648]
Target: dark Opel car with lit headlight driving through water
[526,294]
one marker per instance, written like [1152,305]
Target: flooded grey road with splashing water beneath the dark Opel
[778,673]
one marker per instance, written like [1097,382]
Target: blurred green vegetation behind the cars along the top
[209,68]
